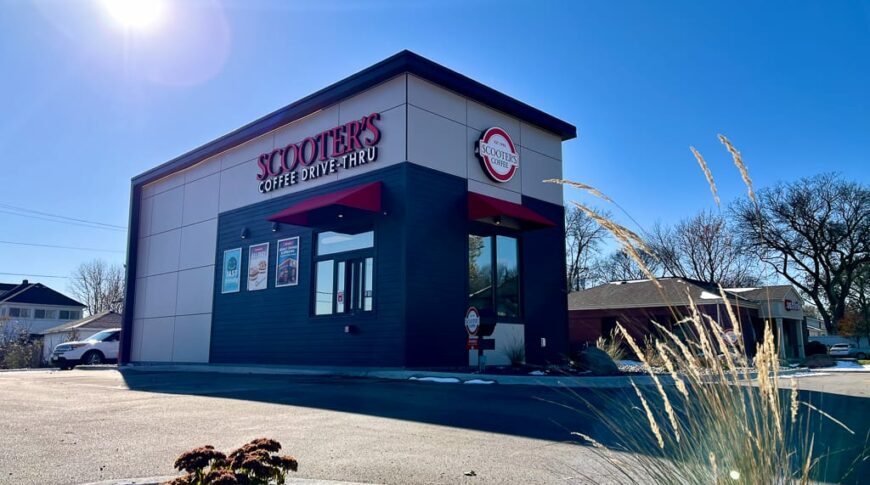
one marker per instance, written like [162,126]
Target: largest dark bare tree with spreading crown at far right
[815,232]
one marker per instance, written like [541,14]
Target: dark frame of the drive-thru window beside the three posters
[344,257]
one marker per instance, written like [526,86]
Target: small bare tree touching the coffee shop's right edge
[583,238]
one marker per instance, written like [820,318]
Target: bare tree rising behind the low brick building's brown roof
[705,247]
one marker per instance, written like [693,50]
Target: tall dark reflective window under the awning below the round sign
[494,275]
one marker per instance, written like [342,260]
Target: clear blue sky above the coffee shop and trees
[87,104]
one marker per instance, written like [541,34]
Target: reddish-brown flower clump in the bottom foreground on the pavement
[254,463]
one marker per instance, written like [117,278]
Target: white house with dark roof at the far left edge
[36,307]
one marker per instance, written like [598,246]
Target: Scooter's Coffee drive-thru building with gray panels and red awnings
[397,218]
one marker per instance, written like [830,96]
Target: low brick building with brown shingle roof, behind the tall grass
[639,305]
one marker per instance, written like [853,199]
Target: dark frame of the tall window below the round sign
[489,231]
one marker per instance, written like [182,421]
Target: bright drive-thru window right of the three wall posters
[345,273]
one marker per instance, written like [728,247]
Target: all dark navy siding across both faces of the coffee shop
[421,251]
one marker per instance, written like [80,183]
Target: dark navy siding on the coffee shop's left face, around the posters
[276,326]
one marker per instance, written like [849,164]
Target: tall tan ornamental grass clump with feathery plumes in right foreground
[717,415]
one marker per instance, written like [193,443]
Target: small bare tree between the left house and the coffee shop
[99,285]
